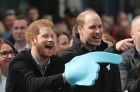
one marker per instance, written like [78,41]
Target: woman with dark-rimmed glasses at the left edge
[7,53]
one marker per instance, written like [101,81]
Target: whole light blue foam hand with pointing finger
[83,69]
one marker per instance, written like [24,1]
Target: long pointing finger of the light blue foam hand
[100,57]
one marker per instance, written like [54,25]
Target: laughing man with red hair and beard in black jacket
[30,69]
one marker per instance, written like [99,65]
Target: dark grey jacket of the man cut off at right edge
[130,71]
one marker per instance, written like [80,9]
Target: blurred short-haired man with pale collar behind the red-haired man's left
[19,28]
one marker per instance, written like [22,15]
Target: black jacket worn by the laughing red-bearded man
[24,75]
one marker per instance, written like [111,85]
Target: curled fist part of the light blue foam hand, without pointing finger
[81,72]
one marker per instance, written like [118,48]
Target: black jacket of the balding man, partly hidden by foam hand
[109,77]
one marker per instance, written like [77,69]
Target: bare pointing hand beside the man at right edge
[125,44]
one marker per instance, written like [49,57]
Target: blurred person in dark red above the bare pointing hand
[121,29]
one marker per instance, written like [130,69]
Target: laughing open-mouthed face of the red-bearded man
[45,41]
